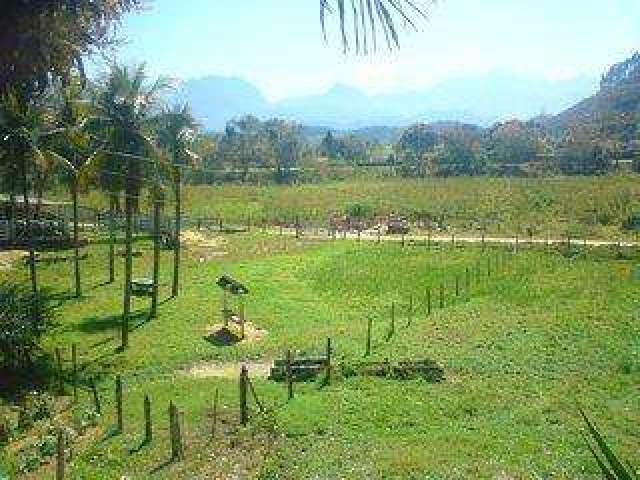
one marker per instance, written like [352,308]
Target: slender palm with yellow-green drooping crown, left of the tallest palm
[72,148]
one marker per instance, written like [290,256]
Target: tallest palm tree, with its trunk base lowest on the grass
[127,106]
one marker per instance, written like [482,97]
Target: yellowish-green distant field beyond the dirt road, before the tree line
[578,206]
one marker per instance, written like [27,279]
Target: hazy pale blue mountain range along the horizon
[477,99]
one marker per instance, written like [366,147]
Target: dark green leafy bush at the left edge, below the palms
[24,319]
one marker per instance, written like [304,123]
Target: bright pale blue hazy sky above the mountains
[278,45]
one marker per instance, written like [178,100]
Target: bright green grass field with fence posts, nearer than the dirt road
[521,349]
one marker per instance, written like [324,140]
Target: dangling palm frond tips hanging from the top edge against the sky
[364,20]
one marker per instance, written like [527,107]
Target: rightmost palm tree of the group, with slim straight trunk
[176,136]
